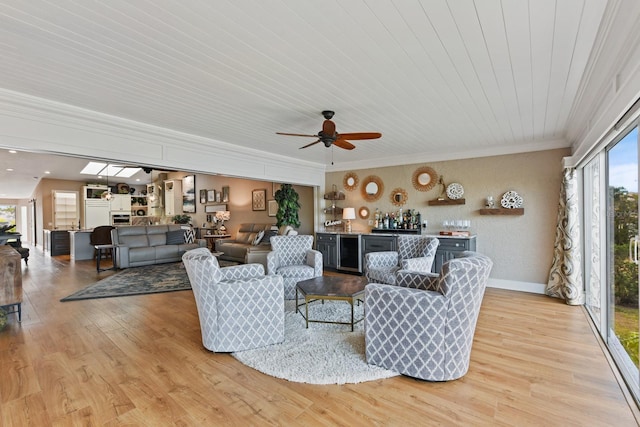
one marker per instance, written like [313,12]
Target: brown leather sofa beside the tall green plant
[241,249]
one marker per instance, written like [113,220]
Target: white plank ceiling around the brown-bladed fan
[433,76]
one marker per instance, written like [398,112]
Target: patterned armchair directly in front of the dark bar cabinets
[415,253]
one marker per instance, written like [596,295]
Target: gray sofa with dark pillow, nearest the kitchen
[138,245]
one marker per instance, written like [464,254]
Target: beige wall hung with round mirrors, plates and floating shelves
[520,246]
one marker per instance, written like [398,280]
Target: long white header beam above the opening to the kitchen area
[38,124]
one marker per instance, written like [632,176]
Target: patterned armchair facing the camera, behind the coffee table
[293,258]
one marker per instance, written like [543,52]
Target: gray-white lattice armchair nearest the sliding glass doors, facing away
[424,326]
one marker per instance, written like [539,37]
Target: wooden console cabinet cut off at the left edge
[10,280]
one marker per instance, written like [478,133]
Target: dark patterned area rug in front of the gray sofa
[149,279]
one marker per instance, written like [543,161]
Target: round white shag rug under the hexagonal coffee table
[322,354]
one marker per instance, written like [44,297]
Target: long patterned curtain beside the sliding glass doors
[565,277]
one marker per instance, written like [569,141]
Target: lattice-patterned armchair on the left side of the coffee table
[239,307]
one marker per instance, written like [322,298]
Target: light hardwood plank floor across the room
[139,361]
